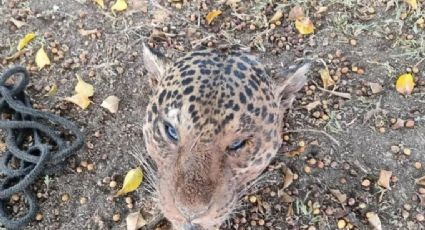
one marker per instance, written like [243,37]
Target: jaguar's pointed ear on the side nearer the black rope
[155,63]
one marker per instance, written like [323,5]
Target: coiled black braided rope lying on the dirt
[34,146]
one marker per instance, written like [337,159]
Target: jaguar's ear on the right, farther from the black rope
[288,84]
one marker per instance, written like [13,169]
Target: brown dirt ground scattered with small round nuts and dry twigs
[335,146]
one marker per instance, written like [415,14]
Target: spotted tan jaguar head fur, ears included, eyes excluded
[212,98]
